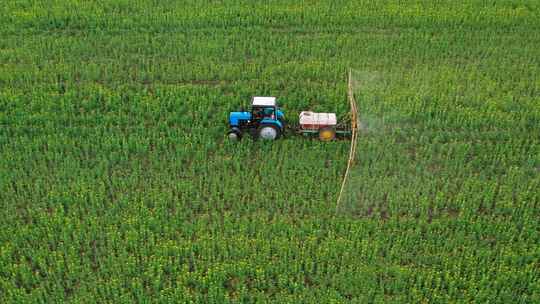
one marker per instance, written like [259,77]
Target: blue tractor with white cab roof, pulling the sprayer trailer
[265,121]
